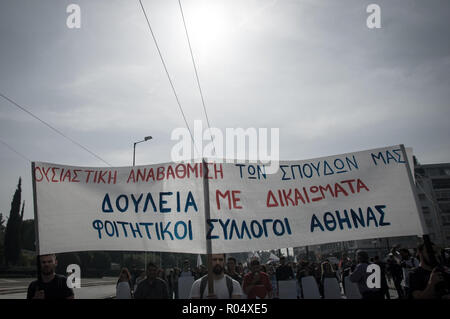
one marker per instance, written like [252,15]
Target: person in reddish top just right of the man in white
[257,283]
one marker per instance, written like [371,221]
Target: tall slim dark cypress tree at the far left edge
[13,228]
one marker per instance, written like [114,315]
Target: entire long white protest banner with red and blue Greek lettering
[161,207]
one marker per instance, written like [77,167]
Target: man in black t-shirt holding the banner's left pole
[49,285]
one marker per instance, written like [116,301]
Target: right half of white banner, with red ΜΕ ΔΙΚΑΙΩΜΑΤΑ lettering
[351,196]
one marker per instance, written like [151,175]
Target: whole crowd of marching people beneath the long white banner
[412,274]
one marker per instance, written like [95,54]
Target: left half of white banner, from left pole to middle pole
[142,208]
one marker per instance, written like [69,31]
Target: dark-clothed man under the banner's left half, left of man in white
[152,287]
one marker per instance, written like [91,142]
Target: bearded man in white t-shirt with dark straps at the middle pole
[224,286]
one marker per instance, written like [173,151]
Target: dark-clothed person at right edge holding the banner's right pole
[429,281]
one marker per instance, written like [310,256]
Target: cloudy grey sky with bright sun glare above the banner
[313,69]
